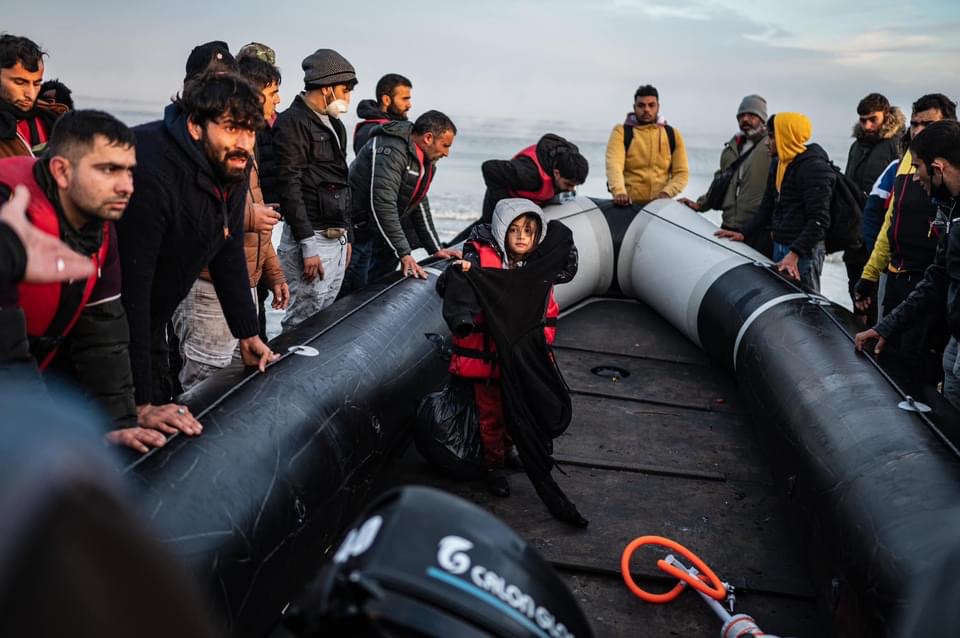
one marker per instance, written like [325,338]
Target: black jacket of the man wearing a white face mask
[311,161]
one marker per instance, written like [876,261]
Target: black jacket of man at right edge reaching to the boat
[940,285]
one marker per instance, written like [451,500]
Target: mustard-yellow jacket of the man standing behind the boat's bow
[648,168]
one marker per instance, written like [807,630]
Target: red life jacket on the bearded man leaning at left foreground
[41,302]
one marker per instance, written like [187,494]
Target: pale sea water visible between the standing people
[456,195]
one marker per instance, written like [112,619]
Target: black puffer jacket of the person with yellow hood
[799,215]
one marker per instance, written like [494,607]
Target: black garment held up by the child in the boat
[537,405]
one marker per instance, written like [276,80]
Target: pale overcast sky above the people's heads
[571,61]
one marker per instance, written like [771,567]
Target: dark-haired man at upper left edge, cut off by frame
[25,121]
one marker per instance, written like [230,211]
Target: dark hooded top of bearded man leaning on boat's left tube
[180,219]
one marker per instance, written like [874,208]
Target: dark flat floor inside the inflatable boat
[668,450]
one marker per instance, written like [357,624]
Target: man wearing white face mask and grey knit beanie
[310,145]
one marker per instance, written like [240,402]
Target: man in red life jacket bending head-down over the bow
[538,173]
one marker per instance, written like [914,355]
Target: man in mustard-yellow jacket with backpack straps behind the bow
[646,158]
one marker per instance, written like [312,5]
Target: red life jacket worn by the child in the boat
[475,356]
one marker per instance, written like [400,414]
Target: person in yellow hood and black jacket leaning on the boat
[796,204]
